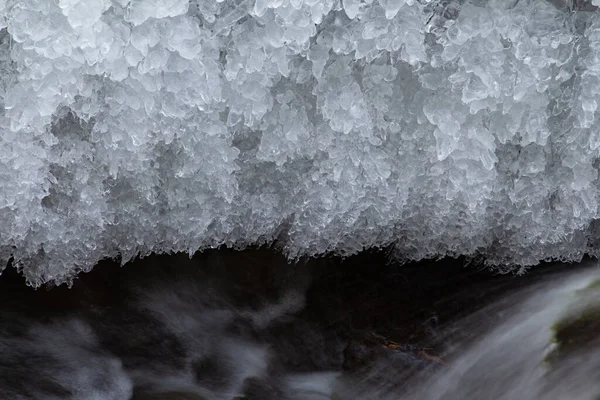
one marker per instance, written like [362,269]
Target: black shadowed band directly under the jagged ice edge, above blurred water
[362,292]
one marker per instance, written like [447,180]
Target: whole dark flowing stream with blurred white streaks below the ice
[225,330]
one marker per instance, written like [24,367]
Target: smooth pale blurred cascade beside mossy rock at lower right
[507,362]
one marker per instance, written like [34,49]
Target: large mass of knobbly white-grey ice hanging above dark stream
[436,127]
